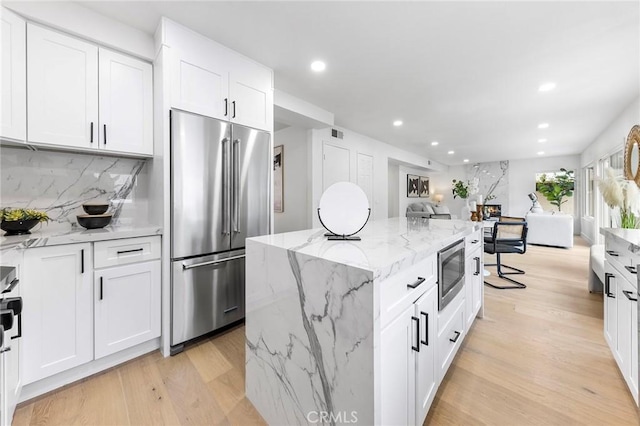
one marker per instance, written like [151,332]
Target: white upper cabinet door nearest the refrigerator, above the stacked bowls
[126,111]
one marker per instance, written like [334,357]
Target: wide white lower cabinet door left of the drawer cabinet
[58,309]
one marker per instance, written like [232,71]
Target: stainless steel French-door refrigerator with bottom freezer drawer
[220,180]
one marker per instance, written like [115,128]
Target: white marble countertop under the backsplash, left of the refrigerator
[44,237]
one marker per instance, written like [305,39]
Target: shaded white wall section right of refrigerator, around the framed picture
[296,177]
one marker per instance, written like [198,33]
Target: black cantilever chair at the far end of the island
[507,236]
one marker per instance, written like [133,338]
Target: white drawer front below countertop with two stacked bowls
[124,251]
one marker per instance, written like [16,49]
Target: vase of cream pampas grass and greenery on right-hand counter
[622,195]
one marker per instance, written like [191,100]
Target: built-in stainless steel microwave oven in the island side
[450,273]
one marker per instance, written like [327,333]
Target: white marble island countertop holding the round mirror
[387,245]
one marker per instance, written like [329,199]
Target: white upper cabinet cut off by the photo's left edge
[13,89]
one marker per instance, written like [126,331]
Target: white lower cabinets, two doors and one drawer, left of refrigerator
[74,314]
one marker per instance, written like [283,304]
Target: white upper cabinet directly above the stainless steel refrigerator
[209,79]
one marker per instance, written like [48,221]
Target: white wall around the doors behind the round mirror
[381,152]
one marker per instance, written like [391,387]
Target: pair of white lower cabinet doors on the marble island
[408,359]
